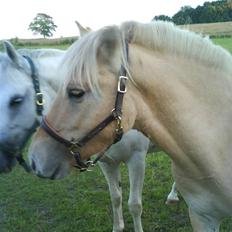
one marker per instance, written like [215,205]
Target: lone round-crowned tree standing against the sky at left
[43,24]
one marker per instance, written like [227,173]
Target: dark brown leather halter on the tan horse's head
[116,115]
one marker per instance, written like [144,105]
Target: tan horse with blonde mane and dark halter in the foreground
[179,94]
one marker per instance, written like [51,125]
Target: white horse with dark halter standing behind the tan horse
[18,114]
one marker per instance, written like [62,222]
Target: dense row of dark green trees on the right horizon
[210,12]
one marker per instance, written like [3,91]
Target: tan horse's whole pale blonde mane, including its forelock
[159,36]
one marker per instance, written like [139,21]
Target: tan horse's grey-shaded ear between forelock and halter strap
[110,47]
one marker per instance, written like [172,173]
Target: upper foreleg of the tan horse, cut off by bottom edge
[203,223]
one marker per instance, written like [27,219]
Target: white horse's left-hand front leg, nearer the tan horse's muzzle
[113,177]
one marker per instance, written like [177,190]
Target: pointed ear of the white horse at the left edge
[15,57]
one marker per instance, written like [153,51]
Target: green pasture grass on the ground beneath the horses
[81,203]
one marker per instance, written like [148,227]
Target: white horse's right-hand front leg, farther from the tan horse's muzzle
[136,169]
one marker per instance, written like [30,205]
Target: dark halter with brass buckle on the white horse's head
[39,102]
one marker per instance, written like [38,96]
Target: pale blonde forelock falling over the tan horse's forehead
[80,64]
